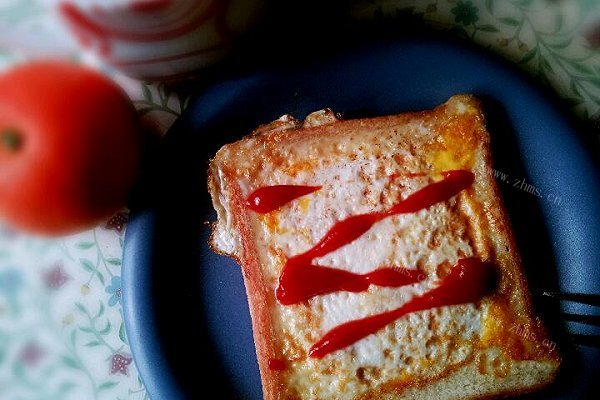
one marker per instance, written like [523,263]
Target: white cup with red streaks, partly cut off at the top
[159,39]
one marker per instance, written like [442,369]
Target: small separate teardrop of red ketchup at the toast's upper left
[269,198]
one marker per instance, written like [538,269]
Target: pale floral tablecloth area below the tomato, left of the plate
[61,323]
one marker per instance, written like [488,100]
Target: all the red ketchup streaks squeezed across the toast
[301,279]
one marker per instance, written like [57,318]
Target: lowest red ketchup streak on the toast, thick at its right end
[467,282]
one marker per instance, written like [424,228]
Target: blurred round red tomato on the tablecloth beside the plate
[69,147]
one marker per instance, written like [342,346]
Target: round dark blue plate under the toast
[186,306]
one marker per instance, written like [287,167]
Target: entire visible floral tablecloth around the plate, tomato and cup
[61,324]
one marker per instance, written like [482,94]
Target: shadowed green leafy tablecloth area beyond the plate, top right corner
[544,37]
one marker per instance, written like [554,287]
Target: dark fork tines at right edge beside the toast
[591,340]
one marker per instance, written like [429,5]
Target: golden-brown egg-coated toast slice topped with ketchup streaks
[378,259]
